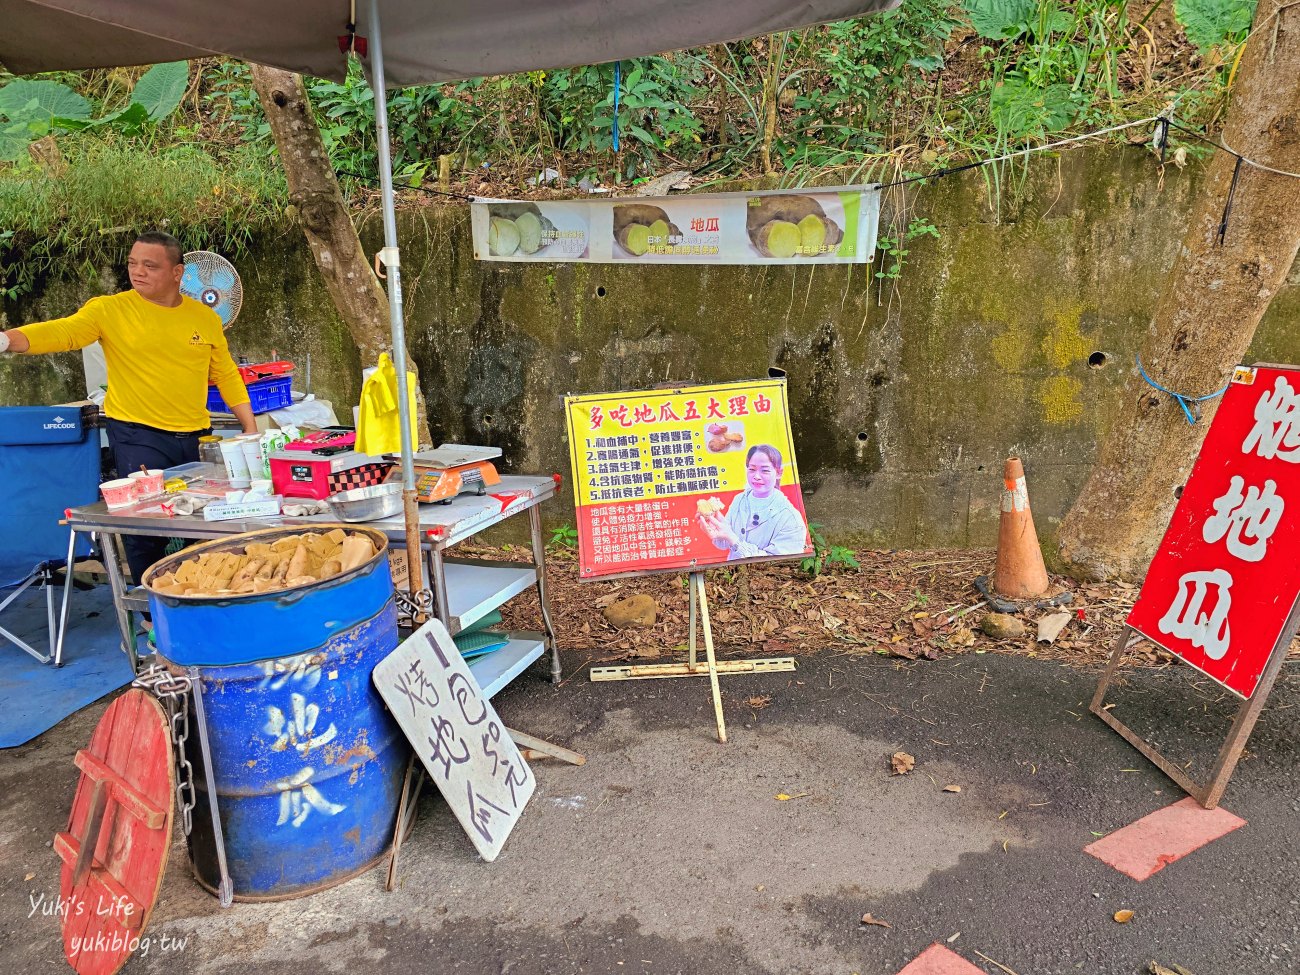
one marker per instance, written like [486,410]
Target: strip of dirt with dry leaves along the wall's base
[907,605]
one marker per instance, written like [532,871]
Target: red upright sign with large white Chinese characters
[1228,573]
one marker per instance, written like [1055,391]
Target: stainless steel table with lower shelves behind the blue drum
[463,591]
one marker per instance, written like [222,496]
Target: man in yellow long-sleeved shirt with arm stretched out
[162,350]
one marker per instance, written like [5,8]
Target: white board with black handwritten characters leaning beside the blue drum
[458,736]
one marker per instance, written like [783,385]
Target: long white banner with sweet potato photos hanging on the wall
[835,226]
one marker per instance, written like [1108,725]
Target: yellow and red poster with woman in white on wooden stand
[674,480]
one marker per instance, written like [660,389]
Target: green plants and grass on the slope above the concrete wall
[89,158]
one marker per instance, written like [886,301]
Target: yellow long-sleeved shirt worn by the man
[161,361]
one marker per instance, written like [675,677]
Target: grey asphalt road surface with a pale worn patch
[671,853]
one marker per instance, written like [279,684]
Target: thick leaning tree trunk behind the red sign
[1212,302]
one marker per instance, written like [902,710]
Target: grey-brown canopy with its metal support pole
[422,44]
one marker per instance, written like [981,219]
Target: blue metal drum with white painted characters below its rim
[307,761]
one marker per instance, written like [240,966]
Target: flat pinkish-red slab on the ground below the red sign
[1167,835]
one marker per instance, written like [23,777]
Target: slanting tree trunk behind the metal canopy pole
[322,213]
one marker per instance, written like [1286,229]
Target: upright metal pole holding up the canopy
[393,262]
